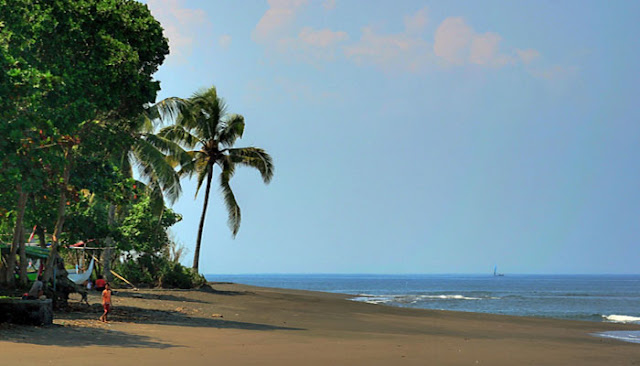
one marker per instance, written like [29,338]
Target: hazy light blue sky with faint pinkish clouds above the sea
[418,136]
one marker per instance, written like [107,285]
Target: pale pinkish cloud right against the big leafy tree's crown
[181,25]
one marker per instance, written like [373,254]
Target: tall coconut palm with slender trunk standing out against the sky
[204,127]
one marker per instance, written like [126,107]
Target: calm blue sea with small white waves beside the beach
[599,298]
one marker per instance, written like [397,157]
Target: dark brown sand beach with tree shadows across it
[234,324]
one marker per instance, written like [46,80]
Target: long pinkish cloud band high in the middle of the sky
[454,43]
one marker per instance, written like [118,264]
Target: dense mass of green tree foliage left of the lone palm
[74,77]
